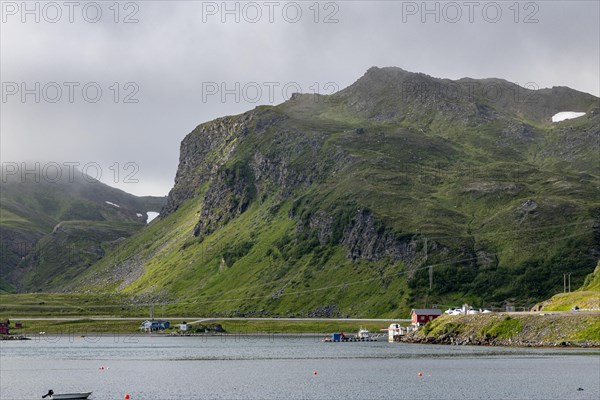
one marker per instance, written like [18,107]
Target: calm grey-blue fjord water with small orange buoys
[243,367]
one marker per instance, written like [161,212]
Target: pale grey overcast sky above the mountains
[162,72]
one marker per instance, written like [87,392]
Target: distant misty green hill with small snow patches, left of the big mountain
[53,229]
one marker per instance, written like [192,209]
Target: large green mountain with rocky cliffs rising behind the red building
[348,204]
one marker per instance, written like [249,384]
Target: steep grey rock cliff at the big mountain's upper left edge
[209,157]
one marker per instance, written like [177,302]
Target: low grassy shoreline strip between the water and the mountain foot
[532,330]
